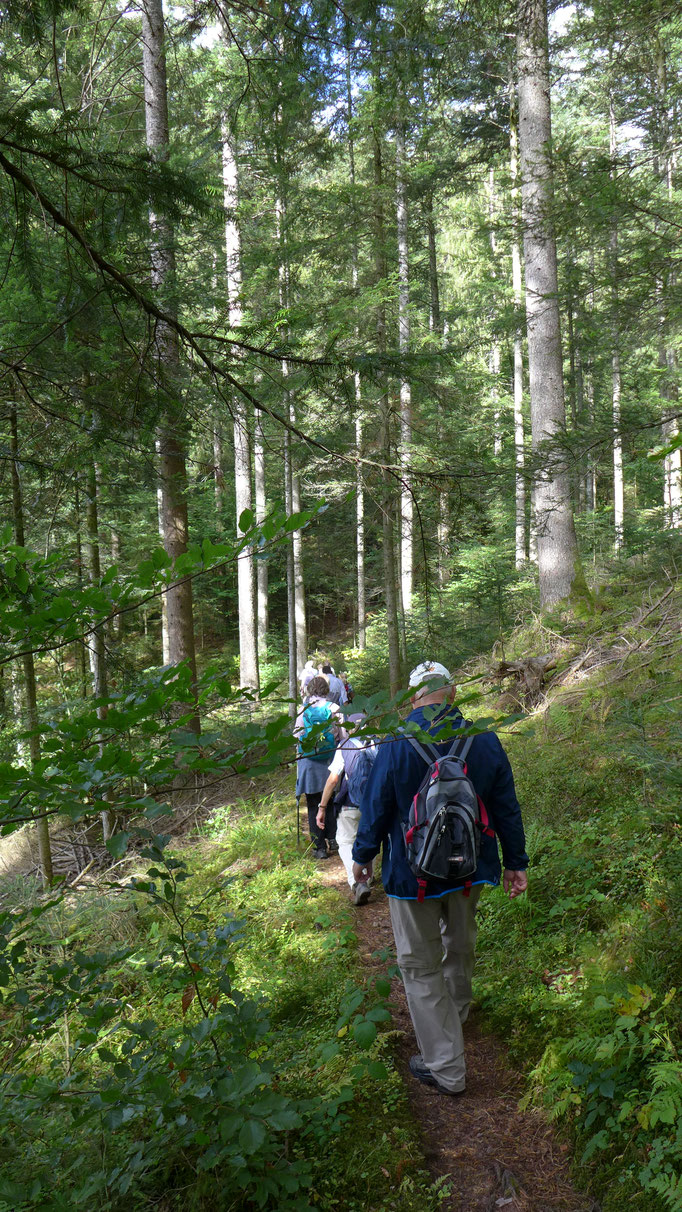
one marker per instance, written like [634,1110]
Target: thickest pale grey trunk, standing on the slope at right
[558,550]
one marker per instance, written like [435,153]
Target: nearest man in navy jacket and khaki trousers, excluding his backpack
[435,939]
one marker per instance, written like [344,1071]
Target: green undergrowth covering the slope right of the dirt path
[591,1004]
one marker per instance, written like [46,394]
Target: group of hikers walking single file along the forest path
[437,810]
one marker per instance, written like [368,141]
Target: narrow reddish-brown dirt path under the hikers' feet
[497,1157]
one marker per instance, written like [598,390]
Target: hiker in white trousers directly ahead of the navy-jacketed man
[349,771]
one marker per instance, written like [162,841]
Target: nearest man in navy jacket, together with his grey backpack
[437,809]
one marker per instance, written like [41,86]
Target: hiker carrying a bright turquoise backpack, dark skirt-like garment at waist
[319,729]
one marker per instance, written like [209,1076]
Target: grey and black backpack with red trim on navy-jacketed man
[443,836]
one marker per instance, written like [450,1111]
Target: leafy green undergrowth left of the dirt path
[202,1032]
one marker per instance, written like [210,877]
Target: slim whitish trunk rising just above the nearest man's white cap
[406,505]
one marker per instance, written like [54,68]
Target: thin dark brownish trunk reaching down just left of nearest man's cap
[388,504]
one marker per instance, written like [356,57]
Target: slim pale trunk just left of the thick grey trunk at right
[518,289]
